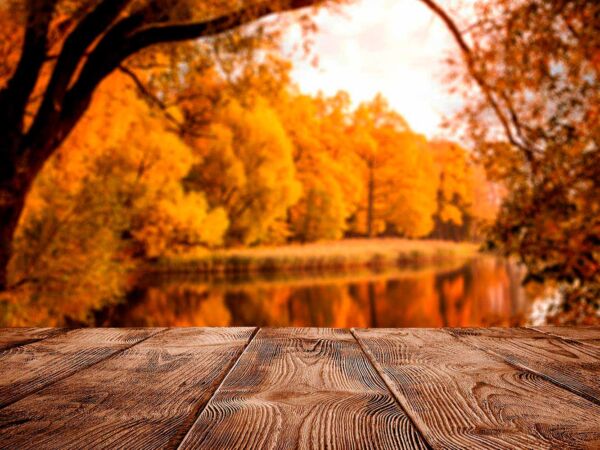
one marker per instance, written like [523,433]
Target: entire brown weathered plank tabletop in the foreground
[229,388]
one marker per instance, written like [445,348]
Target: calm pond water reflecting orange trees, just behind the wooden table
[483,292]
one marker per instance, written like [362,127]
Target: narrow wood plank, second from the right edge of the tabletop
[569,364]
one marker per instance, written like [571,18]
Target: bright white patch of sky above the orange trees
[396,47]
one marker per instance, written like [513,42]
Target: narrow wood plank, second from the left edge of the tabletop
[26,369]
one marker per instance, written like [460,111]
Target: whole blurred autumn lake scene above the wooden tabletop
[390,163]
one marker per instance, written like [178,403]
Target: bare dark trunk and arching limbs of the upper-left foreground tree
[112,38]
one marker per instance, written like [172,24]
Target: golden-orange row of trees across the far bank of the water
[242,162]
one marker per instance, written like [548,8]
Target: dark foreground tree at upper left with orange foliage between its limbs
[66,48]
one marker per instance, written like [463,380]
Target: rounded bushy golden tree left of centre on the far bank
[247,168]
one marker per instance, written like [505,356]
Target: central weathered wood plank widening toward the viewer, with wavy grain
[303,388]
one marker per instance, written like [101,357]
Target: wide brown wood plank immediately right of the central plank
[461,397]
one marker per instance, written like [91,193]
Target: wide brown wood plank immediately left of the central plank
[145,397]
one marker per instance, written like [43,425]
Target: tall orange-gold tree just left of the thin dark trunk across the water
[332,186]
